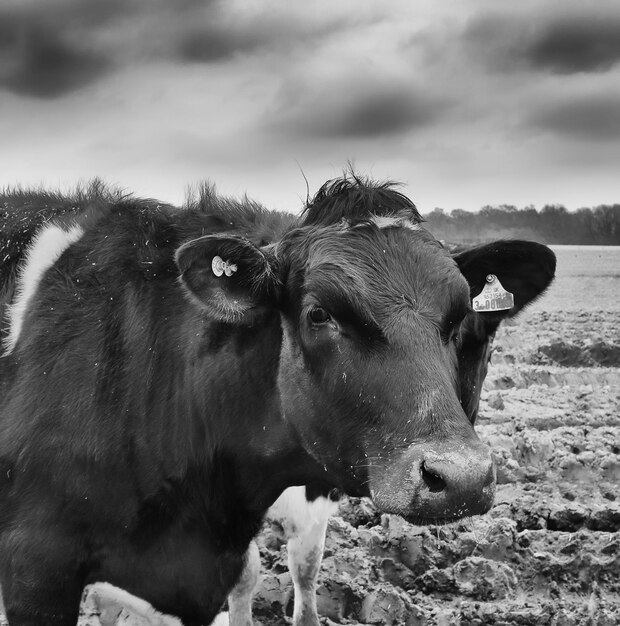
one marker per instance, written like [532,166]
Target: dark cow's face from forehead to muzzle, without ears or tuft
[369,367]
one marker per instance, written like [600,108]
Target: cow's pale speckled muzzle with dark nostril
[435,481]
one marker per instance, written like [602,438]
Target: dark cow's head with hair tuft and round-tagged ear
[371,308]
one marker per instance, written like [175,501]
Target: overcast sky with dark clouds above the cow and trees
[467,102]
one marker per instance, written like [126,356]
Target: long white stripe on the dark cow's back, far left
[45,249]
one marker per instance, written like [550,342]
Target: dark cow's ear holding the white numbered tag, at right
[524,268]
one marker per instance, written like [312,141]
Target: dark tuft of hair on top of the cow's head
[355,199]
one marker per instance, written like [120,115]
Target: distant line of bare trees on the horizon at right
[553,224]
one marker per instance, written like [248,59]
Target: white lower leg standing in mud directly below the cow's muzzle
[305,552]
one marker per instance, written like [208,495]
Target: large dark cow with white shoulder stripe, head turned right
[167,373]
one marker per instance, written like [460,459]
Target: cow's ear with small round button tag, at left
[228,276]
